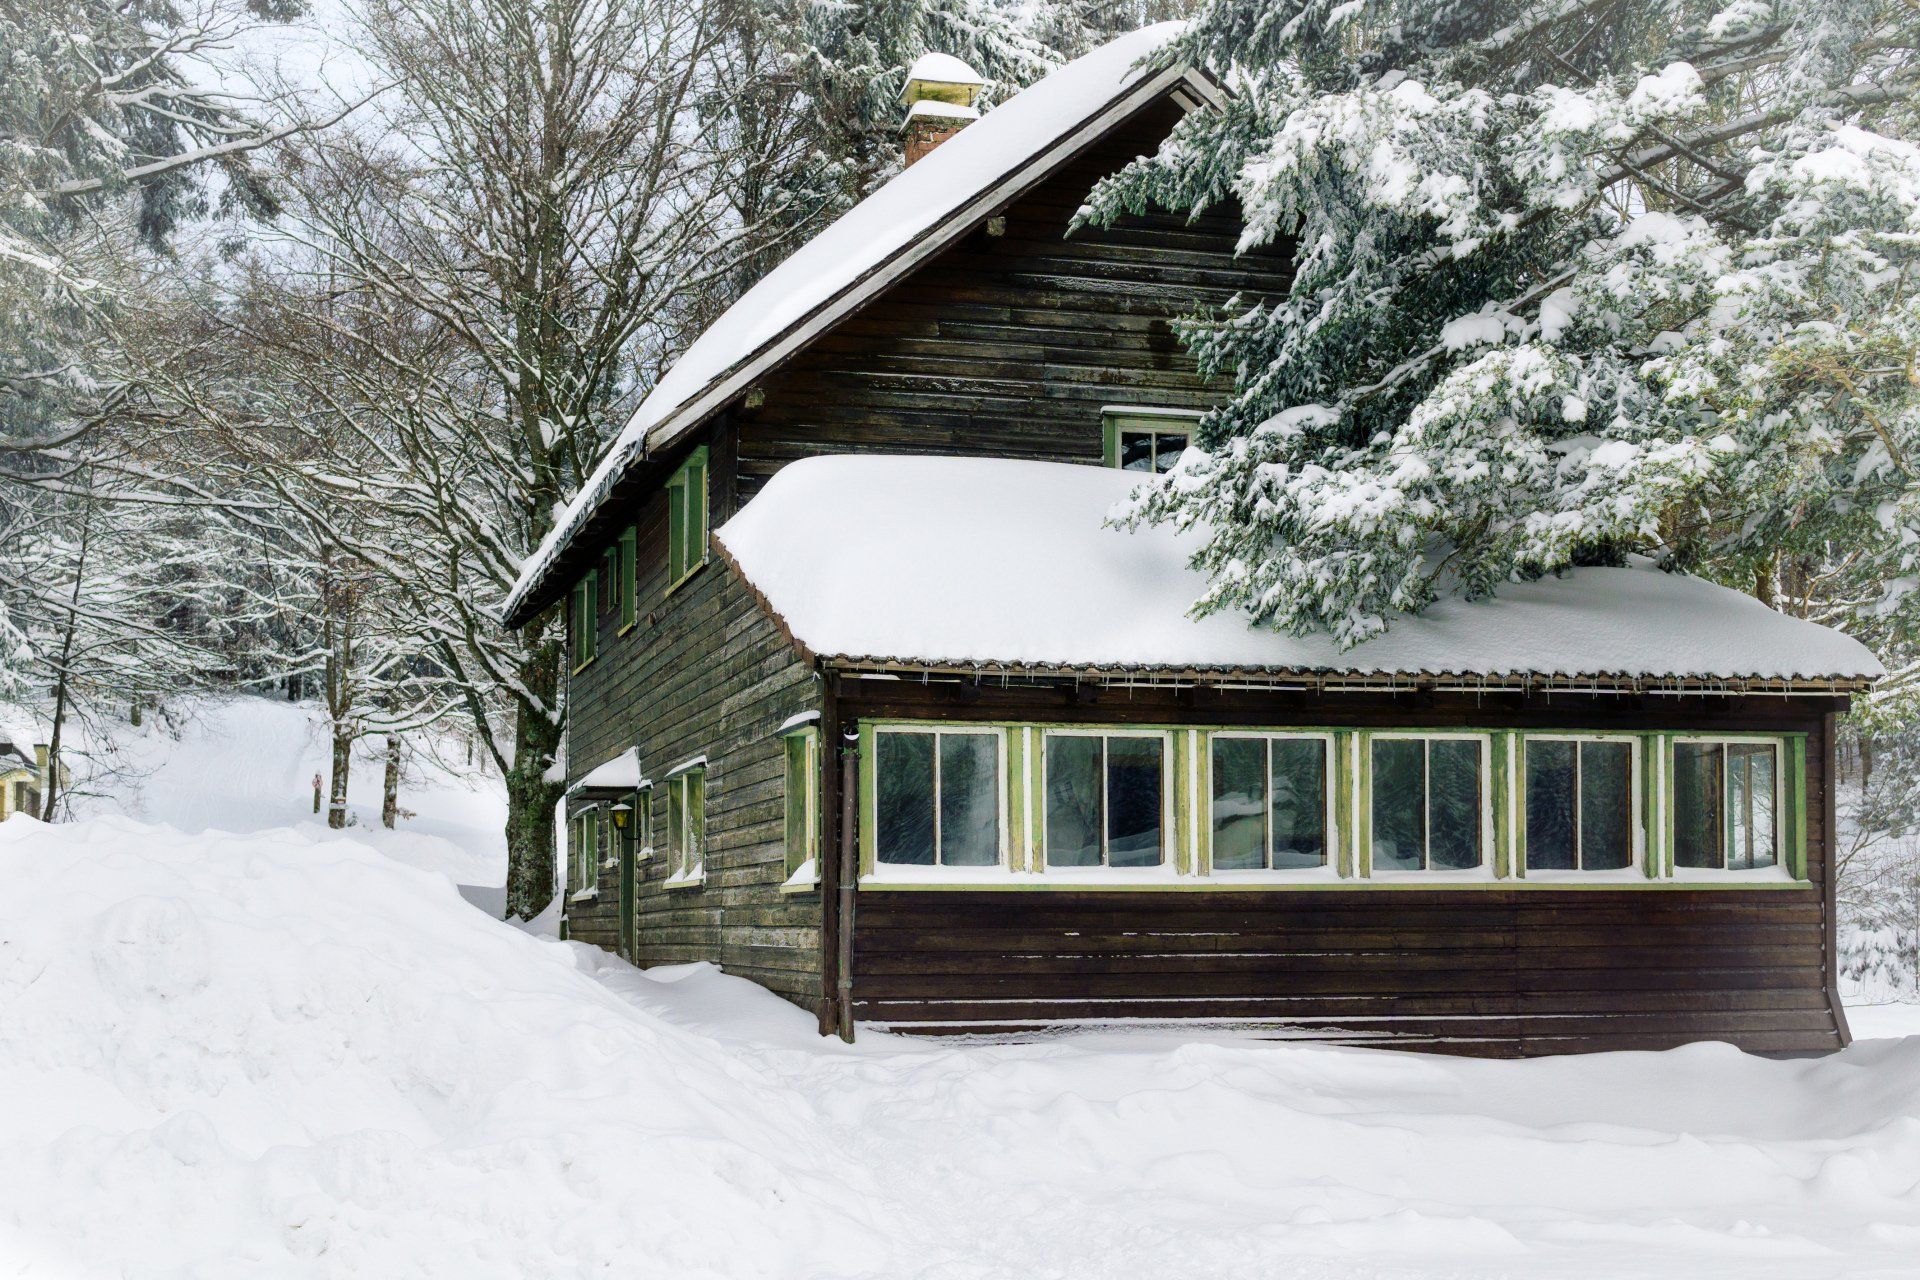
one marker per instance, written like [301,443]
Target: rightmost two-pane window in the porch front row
[1727,803]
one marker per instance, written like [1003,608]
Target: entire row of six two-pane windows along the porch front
[1268,801]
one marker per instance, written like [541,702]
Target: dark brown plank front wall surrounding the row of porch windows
[1456,970]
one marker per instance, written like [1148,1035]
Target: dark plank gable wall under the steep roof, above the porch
[1011,344]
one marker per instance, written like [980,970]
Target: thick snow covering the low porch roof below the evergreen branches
[1005,563]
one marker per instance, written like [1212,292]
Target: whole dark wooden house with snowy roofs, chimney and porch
[869,705]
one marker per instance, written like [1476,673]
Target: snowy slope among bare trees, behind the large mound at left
[249,765]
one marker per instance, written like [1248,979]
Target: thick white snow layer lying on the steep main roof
[825,272]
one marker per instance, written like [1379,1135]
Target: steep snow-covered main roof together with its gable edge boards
[903,224]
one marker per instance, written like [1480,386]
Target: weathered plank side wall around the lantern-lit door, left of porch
[704,673]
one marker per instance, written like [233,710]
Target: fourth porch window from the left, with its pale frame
[1424,820]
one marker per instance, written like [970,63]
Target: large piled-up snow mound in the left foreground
[268,1056]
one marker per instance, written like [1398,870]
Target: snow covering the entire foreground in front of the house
[276,1056]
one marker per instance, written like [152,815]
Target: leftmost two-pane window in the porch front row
[938,799]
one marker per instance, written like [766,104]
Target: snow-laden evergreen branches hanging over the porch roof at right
[1573,281]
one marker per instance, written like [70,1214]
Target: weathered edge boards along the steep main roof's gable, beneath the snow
[535,590]
